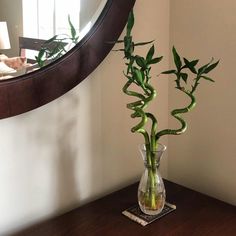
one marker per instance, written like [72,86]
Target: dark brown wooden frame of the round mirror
[29,91]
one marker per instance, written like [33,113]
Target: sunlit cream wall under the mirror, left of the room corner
[78,147]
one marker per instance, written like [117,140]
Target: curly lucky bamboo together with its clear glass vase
[188,76]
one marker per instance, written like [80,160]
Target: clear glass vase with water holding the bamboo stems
[151,190]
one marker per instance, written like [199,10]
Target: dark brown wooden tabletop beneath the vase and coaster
[196,214]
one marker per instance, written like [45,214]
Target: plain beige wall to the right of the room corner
[204,157]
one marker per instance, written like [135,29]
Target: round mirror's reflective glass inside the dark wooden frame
[51,27]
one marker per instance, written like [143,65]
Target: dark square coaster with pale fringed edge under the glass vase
[134,213]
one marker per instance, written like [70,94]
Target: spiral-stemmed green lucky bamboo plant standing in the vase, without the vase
[138,85]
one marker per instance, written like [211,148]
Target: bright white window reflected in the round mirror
[44,22]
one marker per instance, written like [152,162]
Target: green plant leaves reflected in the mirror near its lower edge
[57,46]
